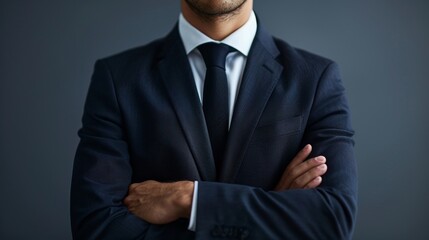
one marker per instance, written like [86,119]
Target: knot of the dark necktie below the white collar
[214,54]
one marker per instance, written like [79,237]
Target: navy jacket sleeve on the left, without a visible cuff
[102,172]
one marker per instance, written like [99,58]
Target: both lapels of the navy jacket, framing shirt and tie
[259,79]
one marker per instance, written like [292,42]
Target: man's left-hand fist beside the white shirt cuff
[160,203]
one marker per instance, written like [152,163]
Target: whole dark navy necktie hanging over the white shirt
[215,100]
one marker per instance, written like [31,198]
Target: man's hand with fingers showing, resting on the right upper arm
[303,173]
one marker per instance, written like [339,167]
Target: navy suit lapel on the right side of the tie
[260,77]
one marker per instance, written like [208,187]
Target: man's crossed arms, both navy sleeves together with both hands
[106,204]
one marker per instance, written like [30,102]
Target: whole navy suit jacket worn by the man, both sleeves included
[143,120]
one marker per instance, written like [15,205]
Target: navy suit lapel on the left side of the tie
[178,79]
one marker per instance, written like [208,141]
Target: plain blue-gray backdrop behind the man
[47,51]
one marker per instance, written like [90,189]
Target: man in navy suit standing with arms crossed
[150,165]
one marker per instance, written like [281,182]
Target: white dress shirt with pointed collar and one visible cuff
[241,40]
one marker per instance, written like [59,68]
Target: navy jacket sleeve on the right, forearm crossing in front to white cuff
[327,212]
